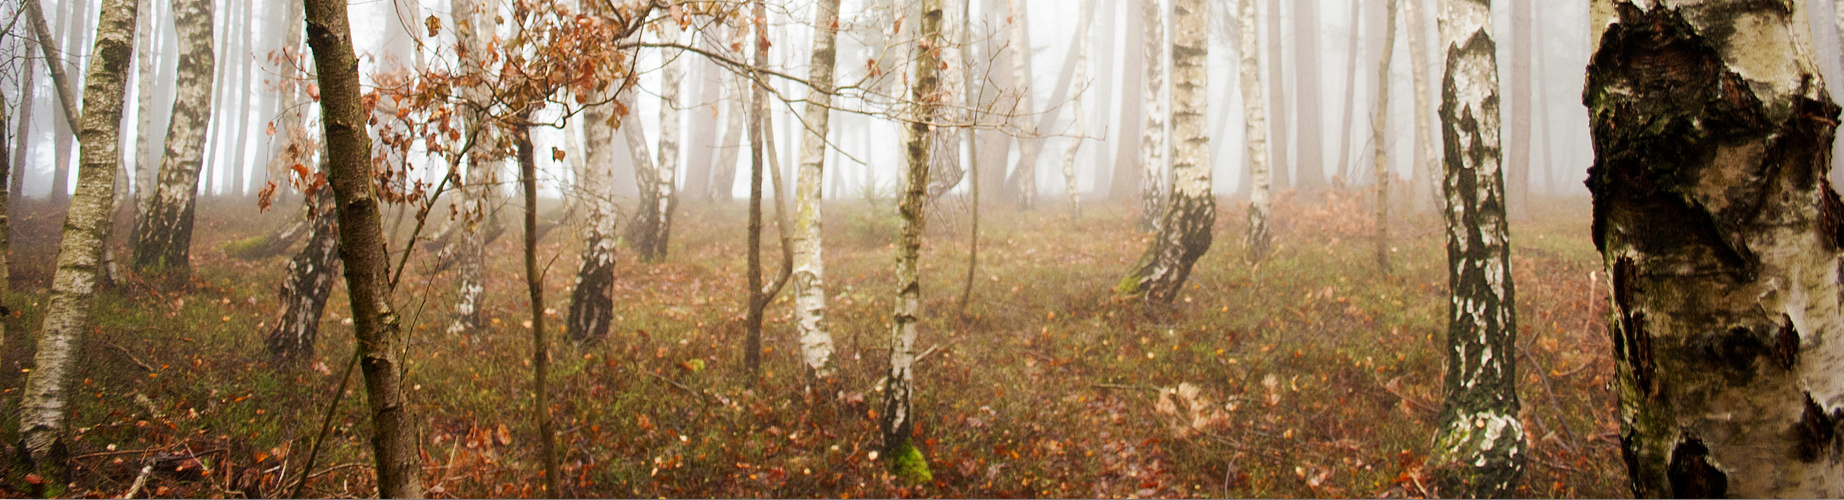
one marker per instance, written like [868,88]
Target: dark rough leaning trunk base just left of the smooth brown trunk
[311,281]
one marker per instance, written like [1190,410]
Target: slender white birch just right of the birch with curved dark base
[1260,178]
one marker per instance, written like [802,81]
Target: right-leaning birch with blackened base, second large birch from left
[163,237]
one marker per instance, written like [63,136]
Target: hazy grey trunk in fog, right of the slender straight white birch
[1312,117]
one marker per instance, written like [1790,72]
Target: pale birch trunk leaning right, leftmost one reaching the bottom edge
[45,405]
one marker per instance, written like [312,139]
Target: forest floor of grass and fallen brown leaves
[1310,375]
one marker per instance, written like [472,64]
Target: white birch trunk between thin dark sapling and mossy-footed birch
[810,263]
